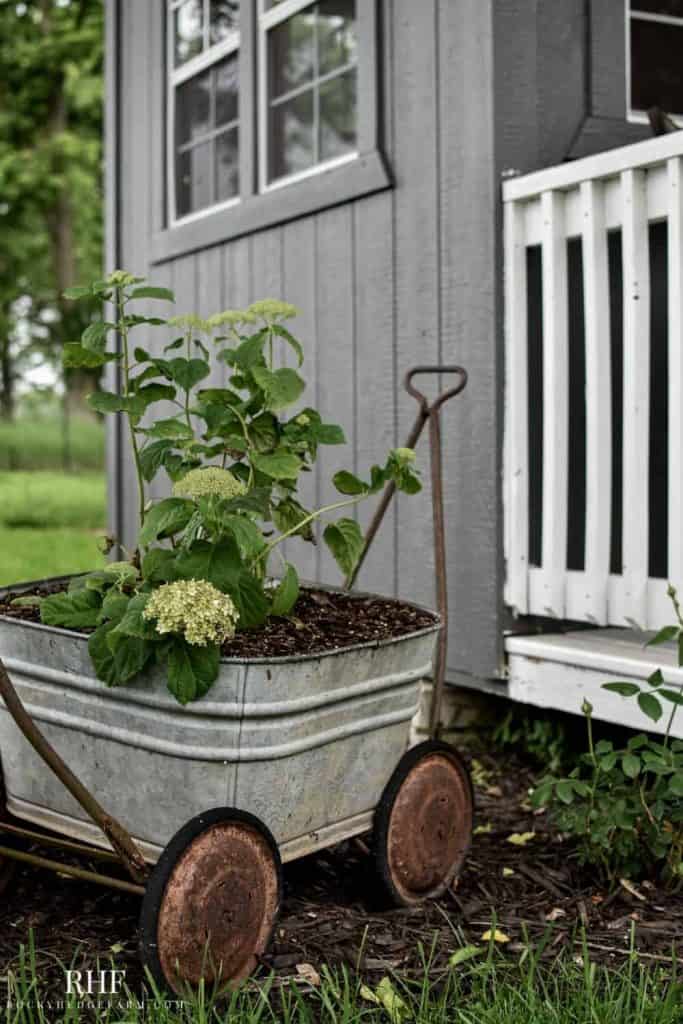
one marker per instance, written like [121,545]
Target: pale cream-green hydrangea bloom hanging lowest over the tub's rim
[194,610]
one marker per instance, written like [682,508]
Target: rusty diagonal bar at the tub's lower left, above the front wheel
[121,841]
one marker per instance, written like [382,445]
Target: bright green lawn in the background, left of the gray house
[50,524]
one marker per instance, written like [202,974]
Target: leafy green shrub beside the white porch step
[625,805]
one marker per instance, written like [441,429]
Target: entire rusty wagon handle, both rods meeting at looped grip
[428,412]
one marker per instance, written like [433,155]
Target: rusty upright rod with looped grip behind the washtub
[432,412]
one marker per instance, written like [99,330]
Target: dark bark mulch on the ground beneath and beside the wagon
[329,916]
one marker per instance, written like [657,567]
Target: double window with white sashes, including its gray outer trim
[261,96]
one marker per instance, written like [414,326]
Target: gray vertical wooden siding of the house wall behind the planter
[407,276]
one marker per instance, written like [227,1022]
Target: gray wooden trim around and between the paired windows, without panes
[364,176]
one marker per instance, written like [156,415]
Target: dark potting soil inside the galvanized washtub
[321,621]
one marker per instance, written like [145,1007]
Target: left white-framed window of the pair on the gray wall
[203,107]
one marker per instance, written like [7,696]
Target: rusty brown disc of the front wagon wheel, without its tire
[220,907]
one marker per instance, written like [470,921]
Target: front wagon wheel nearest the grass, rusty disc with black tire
[212,902]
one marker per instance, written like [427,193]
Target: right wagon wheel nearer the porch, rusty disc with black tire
[423,825]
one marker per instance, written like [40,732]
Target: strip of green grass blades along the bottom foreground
[490,989]
